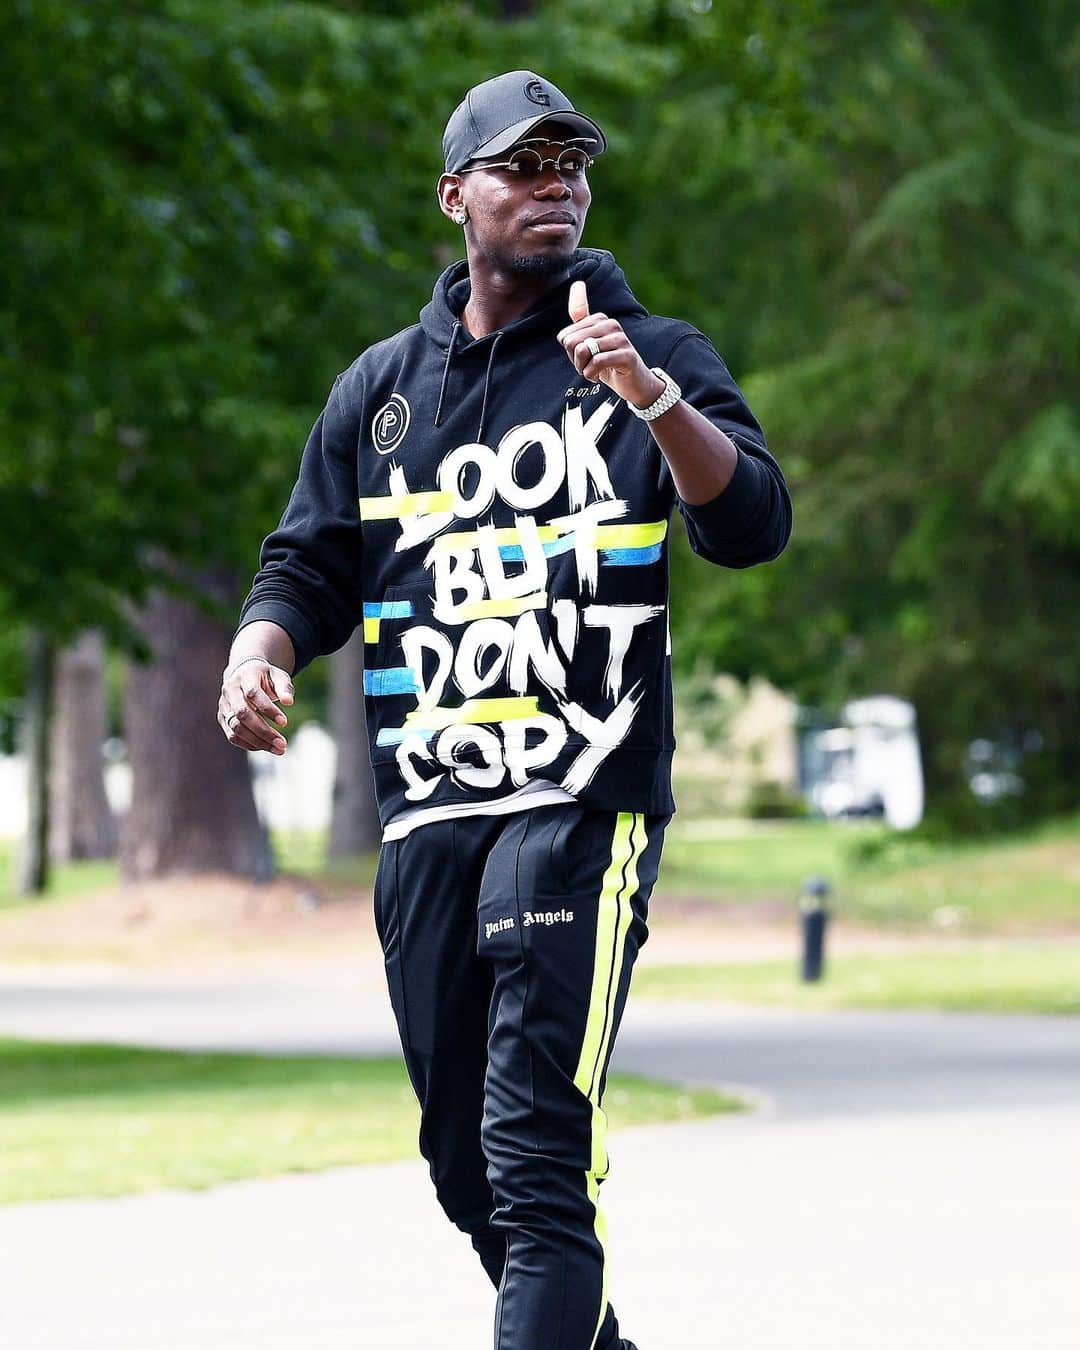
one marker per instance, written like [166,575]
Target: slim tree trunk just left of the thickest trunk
[80,820]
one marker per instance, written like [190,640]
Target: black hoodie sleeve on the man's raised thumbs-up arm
[751,520]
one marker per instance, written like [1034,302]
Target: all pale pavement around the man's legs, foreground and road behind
[912,1181]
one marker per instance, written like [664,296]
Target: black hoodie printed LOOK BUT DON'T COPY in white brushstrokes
[510,558]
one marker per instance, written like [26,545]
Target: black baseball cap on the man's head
[496,114]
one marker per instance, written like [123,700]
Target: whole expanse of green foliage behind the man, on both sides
[873,210]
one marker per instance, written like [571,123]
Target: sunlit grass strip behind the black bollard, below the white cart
[882,878]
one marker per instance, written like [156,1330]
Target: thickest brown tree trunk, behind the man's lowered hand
[192,804]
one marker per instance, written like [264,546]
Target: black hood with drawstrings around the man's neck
[610,292]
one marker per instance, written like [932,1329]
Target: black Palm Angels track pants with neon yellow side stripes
[510,943]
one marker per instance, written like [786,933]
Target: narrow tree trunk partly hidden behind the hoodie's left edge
[354,823]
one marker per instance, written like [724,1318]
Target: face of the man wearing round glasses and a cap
[531,222]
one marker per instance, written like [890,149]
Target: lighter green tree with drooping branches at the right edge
[938,419]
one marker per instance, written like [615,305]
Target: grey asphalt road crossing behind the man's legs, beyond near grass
[801,1064]
